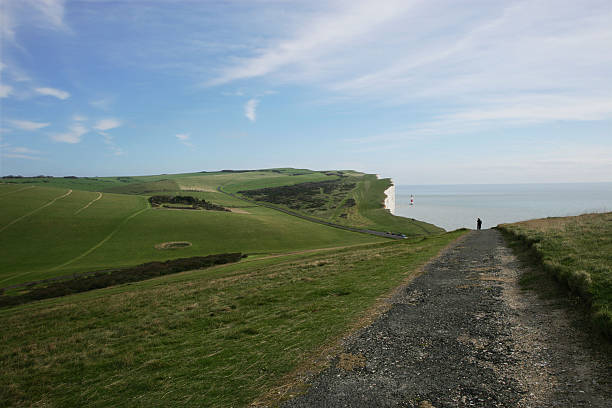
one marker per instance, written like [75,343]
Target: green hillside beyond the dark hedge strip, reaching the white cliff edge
[59,226]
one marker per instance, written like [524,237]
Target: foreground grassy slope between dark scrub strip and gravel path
[219,337]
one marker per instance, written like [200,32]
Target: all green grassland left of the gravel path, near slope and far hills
[221,336]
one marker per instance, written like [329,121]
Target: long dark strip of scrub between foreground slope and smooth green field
[103,279]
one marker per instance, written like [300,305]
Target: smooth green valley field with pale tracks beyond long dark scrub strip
[122,230]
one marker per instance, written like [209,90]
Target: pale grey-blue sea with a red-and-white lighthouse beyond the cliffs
[458,206]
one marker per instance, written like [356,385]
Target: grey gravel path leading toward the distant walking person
[464,334]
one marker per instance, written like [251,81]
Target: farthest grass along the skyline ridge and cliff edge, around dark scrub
[369,193]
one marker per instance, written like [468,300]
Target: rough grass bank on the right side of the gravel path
[577,251]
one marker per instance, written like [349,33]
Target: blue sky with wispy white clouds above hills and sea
[425,92]
